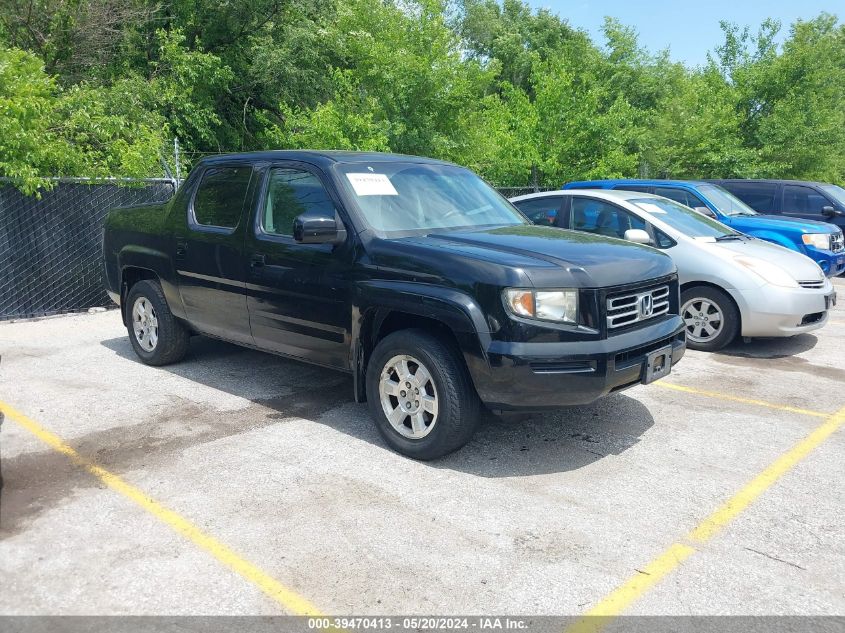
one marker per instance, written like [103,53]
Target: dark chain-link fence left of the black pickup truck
[51,248]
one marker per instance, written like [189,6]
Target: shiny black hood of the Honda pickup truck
[549,257]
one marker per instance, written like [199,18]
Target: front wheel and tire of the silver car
[700,308]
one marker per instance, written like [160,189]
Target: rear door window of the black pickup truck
[219,199]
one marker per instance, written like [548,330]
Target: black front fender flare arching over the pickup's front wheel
[374,301]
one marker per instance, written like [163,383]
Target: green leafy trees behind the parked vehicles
[101,87]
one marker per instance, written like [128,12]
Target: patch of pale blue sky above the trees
[688,28]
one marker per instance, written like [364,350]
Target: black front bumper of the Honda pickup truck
[542,376]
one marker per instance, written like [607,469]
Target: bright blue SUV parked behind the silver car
[820,241]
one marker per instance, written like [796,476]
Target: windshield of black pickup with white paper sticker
[398,197]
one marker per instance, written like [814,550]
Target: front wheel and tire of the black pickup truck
[419,433]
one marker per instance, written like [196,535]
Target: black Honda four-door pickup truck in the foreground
[411,274]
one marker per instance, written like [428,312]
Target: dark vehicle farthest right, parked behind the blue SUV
[797,198]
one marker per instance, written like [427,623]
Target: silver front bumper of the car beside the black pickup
[774,311]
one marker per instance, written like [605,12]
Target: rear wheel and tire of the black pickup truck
[158,339]
